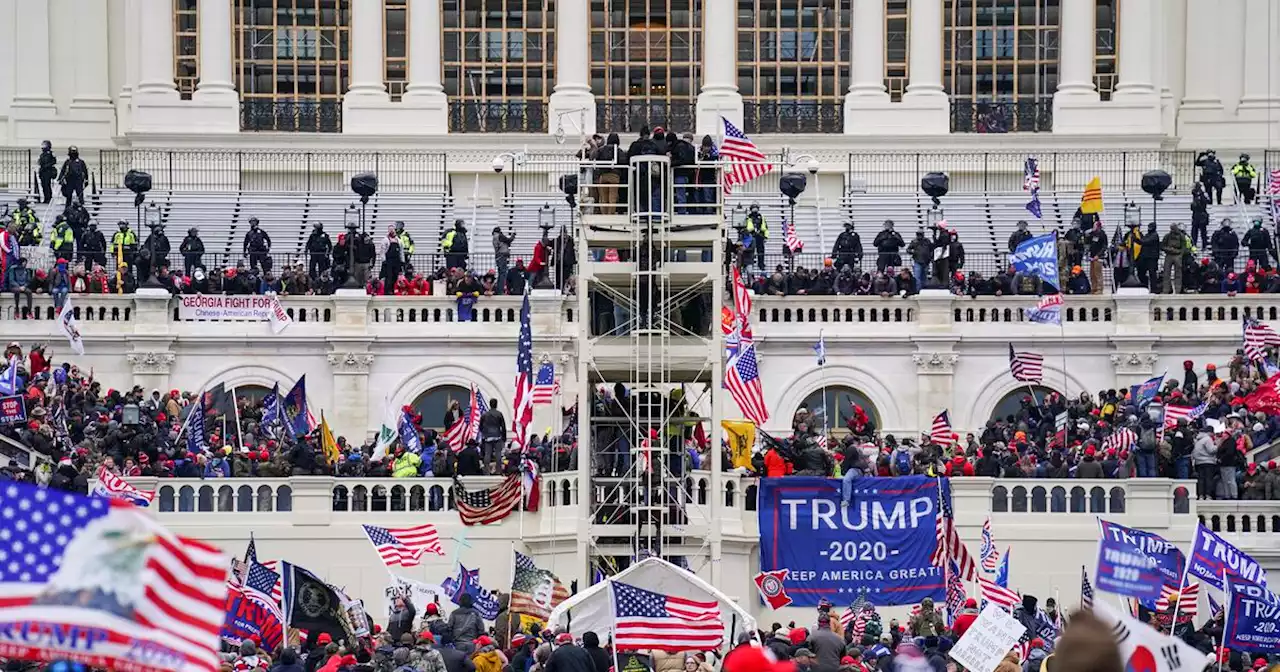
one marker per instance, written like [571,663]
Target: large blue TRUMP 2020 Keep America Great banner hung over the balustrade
[880,546]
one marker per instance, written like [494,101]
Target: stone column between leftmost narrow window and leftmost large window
[216,95]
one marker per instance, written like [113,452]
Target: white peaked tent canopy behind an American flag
[592,610]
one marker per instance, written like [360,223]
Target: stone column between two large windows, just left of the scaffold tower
[572,103]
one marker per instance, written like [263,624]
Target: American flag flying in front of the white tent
[647,620]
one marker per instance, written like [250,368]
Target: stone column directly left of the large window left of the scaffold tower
[426,93]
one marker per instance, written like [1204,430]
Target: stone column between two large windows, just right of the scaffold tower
[720,95]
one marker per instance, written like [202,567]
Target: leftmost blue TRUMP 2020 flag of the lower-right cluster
[1136,564]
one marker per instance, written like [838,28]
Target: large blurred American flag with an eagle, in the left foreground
[74,564]
